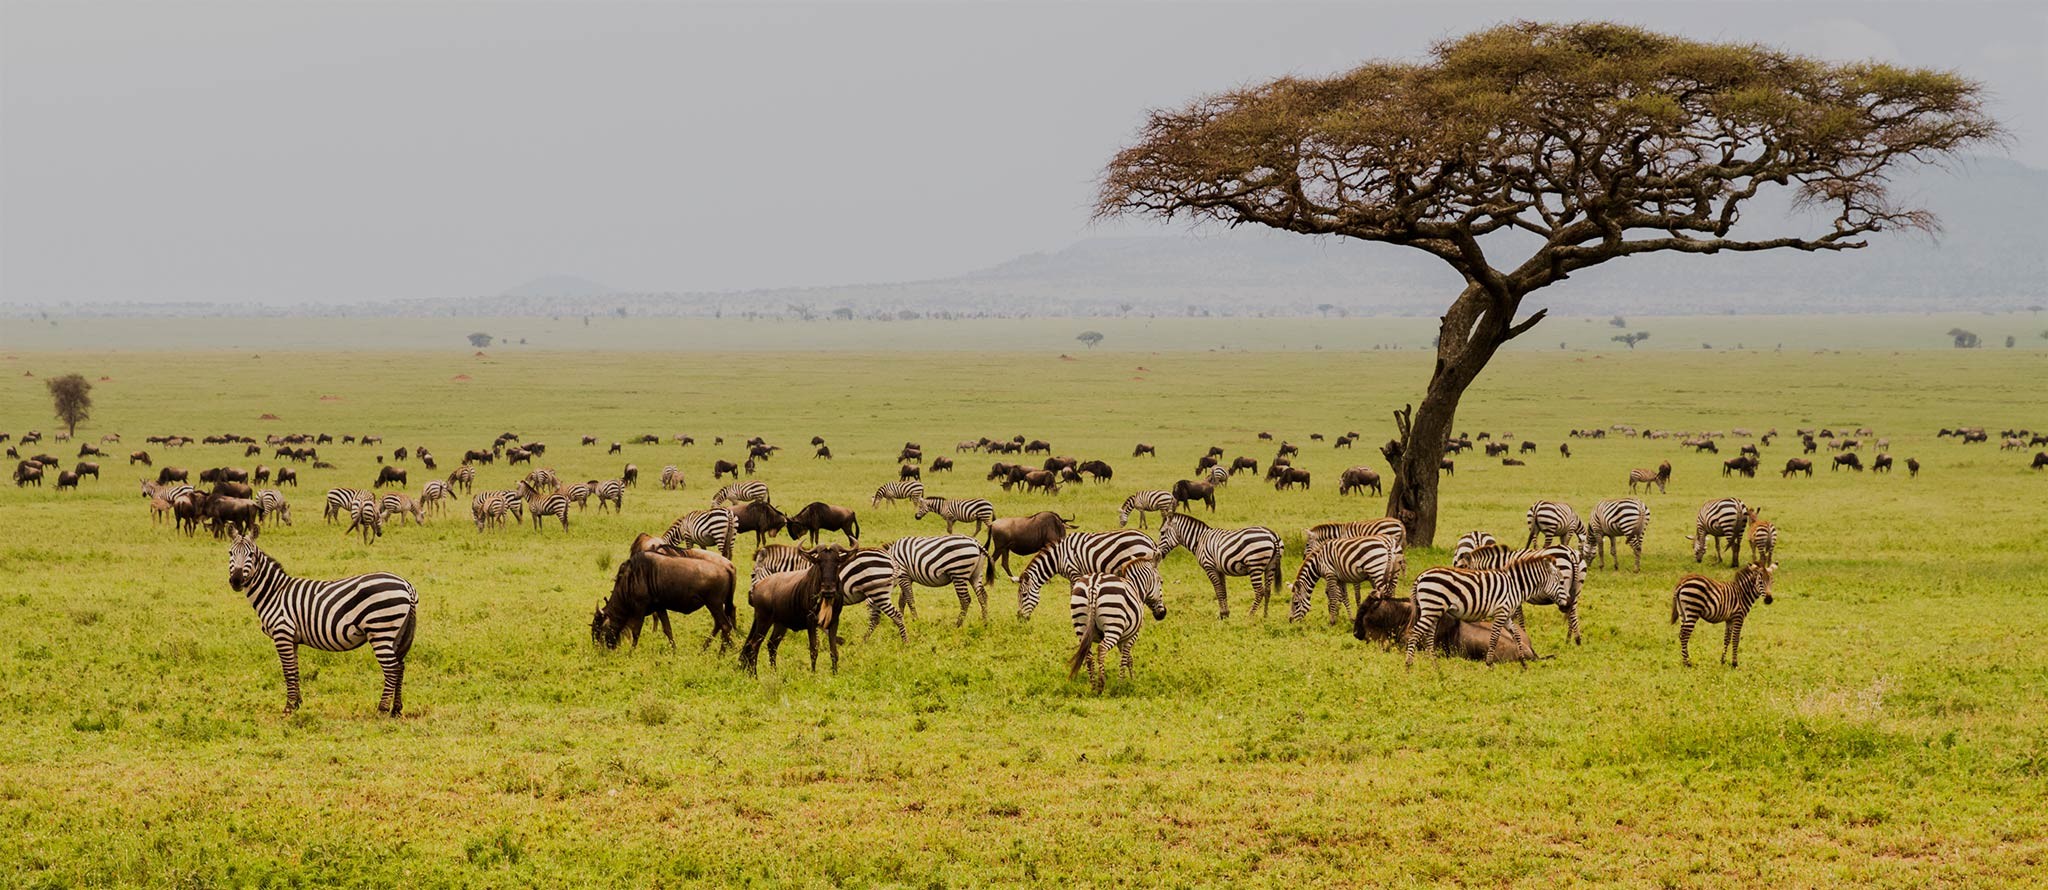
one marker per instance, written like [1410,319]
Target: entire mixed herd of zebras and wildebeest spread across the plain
[1471,609]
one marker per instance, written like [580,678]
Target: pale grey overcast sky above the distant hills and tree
[282,152]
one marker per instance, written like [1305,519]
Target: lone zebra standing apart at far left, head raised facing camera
[335,617]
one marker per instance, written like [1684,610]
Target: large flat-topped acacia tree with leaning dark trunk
[1529,152]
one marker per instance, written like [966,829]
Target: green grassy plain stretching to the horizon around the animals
[1887,725]
